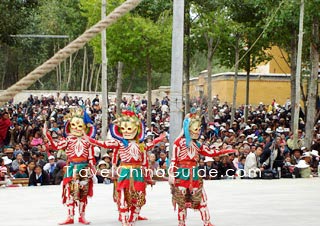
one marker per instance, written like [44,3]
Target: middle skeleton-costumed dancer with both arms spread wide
[130,188]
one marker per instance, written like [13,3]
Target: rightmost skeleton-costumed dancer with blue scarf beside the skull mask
[186,185]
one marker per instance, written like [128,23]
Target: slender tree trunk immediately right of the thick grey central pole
[187,58]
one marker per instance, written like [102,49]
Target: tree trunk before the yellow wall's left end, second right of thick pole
[209,69]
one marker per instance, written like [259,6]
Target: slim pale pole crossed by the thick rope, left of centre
[104,79]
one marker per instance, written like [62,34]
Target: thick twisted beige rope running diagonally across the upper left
[64,53]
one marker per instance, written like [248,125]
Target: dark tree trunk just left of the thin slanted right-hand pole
[293,68]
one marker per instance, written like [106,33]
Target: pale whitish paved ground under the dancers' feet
[285,202]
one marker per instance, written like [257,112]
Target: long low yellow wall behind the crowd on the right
[263,87]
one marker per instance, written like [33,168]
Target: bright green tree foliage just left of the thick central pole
[134,39]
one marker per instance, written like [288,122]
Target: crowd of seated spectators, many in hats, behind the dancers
[263,143]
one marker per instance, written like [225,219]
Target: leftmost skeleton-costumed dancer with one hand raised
[77,182]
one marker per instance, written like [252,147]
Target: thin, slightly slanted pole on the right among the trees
[298,76]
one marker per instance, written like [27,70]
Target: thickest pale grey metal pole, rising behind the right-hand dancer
[176,71]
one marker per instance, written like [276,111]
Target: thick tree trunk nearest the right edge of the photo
[312,94]
